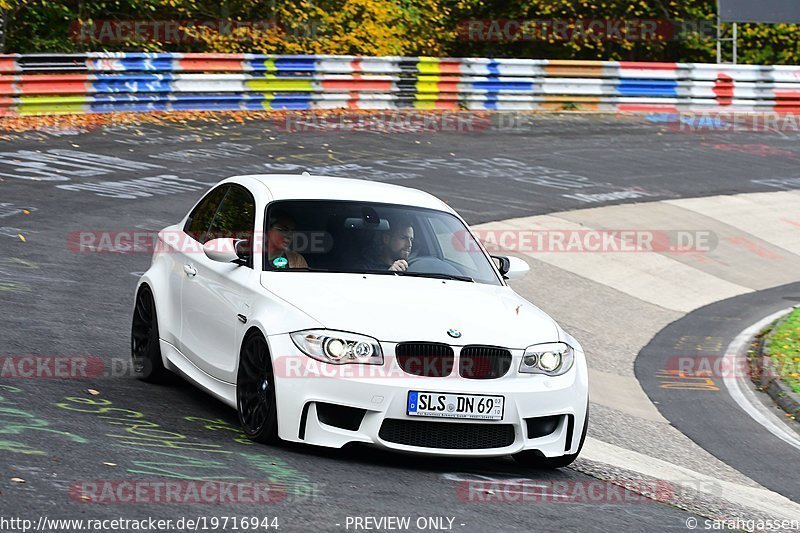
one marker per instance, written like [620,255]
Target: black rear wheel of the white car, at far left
[145,345]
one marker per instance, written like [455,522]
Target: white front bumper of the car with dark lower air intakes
[307,391]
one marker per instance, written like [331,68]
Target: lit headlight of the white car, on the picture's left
[338,347]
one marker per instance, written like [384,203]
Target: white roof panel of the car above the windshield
[307,187]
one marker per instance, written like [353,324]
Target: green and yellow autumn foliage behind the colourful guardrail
[391,27]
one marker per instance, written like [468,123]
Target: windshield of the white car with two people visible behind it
[372,238]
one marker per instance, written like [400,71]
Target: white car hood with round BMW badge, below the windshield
[396,308]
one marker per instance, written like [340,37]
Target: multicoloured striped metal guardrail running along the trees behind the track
[106,82]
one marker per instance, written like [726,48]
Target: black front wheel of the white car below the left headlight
[255,392]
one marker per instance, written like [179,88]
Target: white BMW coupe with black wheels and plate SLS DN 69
[332,311]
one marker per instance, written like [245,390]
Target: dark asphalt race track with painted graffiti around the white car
[58,436]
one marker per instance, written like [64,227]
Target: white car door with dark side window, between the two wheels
[214,294]
